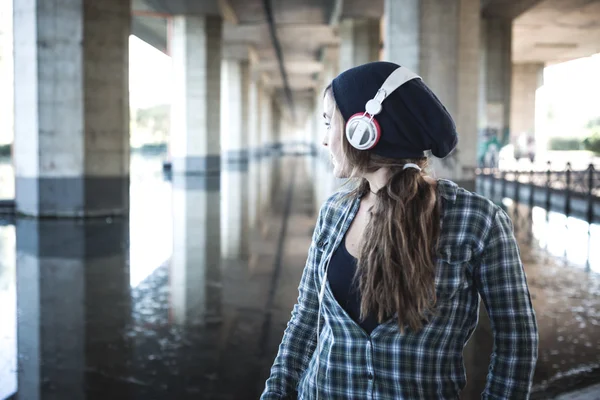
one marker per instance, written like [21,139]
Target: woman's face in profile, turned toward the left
[333,136]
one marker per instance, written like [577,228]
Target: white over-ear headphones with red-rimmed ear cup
[362,129]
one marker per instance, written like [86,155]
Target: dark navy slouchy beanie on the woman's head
[412,121]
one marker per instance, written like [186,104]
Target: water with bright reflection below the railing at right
[562,268]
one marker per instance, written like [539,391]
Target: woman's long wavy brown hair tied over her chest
[396,263]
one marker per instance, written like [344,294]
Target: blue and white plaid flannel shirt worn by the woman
[478,256]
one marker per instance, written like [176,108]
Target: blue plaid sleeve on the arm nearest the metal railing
[502,284]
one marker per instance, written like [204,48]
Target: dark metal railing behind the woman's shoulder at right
[574,193]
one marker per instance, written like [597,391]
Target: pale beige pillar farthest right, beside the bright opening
[526,79]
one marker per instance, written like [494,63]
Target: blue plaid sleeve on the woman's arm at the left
[299,338]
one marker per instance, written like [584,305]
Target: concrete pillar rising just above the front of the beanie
[360,42]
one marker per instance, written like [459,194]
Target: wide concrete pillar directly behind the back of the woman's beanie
[439,40]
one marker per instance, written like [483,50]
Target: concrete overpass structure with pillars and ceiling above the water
[248,78]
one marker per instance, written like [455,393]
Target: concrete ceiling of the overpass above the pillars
[543,31]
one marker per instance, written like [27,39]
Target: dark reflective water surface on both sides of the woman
[151,308]
